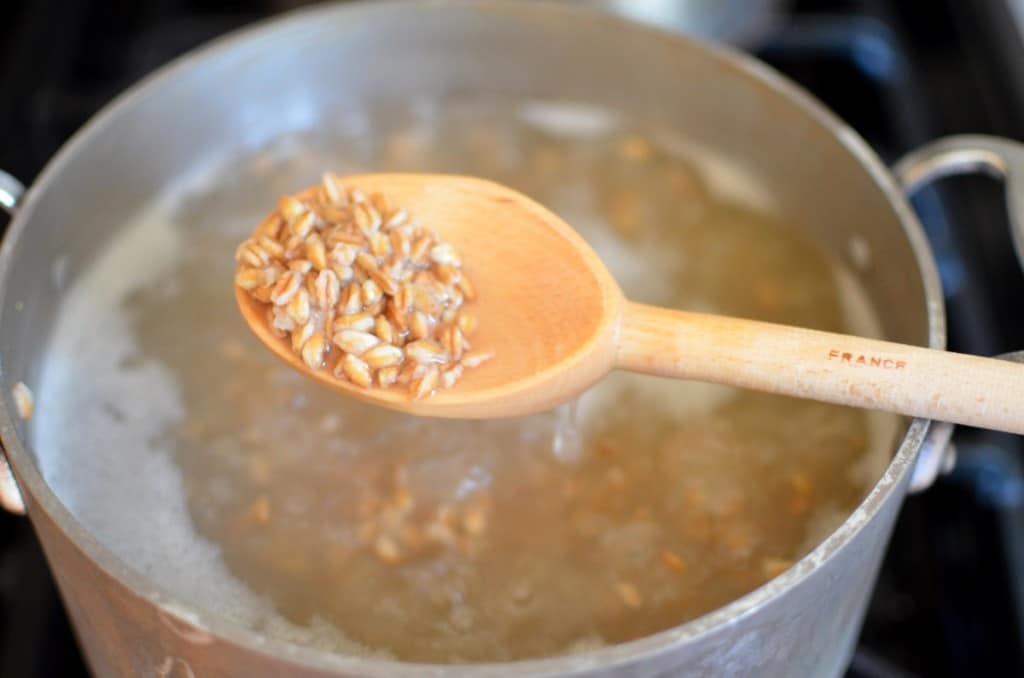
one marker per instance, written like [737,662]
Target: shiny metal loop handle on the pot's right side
[965,154]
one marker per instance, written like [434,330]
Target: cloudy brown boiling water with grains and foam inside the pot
[198,458]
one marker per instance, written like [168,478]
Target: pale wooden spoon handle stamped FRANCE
[822,366]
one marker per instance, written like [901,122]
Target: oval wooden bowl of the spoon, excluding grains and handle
[552,330]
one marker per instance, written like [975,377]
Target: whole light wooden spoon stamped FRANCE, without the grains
[559,323]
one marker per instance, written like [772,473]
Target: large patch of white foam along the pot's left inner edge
[99,438]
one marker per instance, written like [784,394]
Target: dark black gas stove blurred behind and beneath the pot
[950,601]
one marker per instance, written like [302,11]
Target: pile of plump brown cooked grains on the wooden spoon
[351,276]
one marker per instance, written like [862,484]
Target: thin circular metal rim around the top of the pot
[892,481]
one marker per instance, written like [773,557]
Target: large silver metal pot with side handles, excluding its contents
[315,65]
